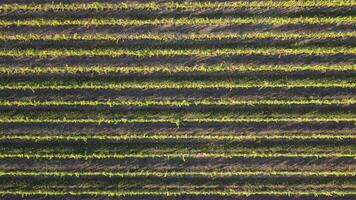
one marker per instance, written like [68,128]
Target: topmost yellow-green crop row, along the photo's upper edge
[174,5]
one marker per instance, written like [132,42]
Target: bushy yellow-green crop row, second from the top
[180,21]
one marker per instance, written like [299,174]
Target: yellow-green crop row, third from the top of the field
[171,36]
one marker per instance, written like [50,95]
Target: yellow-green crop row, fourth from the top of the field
[176,52]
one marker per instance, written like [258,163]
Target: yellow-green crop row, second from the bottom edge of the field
[177,173]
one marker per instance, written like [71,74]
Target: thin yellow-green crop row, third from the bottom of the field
[174,155]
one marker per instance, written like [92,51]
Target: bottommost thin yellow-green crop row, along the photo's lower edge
[316,193]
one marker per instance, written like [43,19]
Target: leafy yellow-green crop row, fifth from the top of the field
[23,70]
